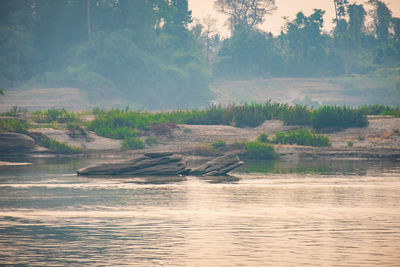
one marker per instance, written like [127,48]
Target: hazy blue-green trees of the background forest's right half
[304,49]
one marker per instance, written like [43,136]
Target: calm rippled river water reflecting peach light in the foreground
[324,213]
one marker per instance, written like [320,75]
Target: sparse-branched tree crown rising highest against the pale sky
[247,13]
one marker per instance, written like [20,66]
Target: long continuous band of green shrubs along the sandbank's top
[121,124]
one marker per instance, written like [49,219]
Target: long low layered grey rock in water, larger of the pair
[152,163]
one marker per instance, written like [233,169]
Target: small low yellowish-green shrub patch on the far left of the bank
[54,115]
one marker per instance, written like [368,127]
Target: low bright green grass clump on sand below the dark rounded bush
[303,137]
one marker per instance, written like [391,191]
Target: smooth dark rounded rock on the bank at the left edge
[15,143]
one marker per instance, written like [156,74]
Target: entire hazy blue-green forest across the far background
[155,55]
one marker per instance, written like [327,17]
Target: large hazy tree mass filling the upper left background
[139,51]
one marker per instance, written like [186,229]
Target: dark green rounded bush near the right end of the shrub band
[334,116]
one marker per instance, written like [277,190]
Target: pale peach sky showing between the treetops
[273,23]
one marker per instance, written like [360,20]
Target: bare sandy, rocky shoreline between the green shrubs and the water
[379,140]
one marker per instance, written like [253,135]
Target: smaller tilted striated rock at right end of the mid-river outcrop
[218,166]
